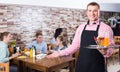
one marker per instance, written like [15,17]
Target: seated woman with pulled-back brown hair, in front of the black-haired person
[61,43]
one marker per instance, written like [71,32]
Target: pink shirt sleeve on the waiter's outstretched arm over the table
[75,44]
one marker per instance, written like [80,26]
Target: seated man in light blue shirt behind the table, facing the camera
[40,45]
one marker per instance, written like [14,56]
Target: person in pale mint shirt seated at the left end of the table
[4,56]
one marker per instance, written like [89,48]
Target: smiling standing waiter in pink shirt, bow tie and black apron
[89,60]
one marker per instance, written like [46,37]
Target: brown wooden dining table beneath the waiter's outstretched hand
[46,65]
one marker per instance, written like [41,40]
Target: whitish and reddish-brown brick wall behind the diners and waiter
[26,20]
